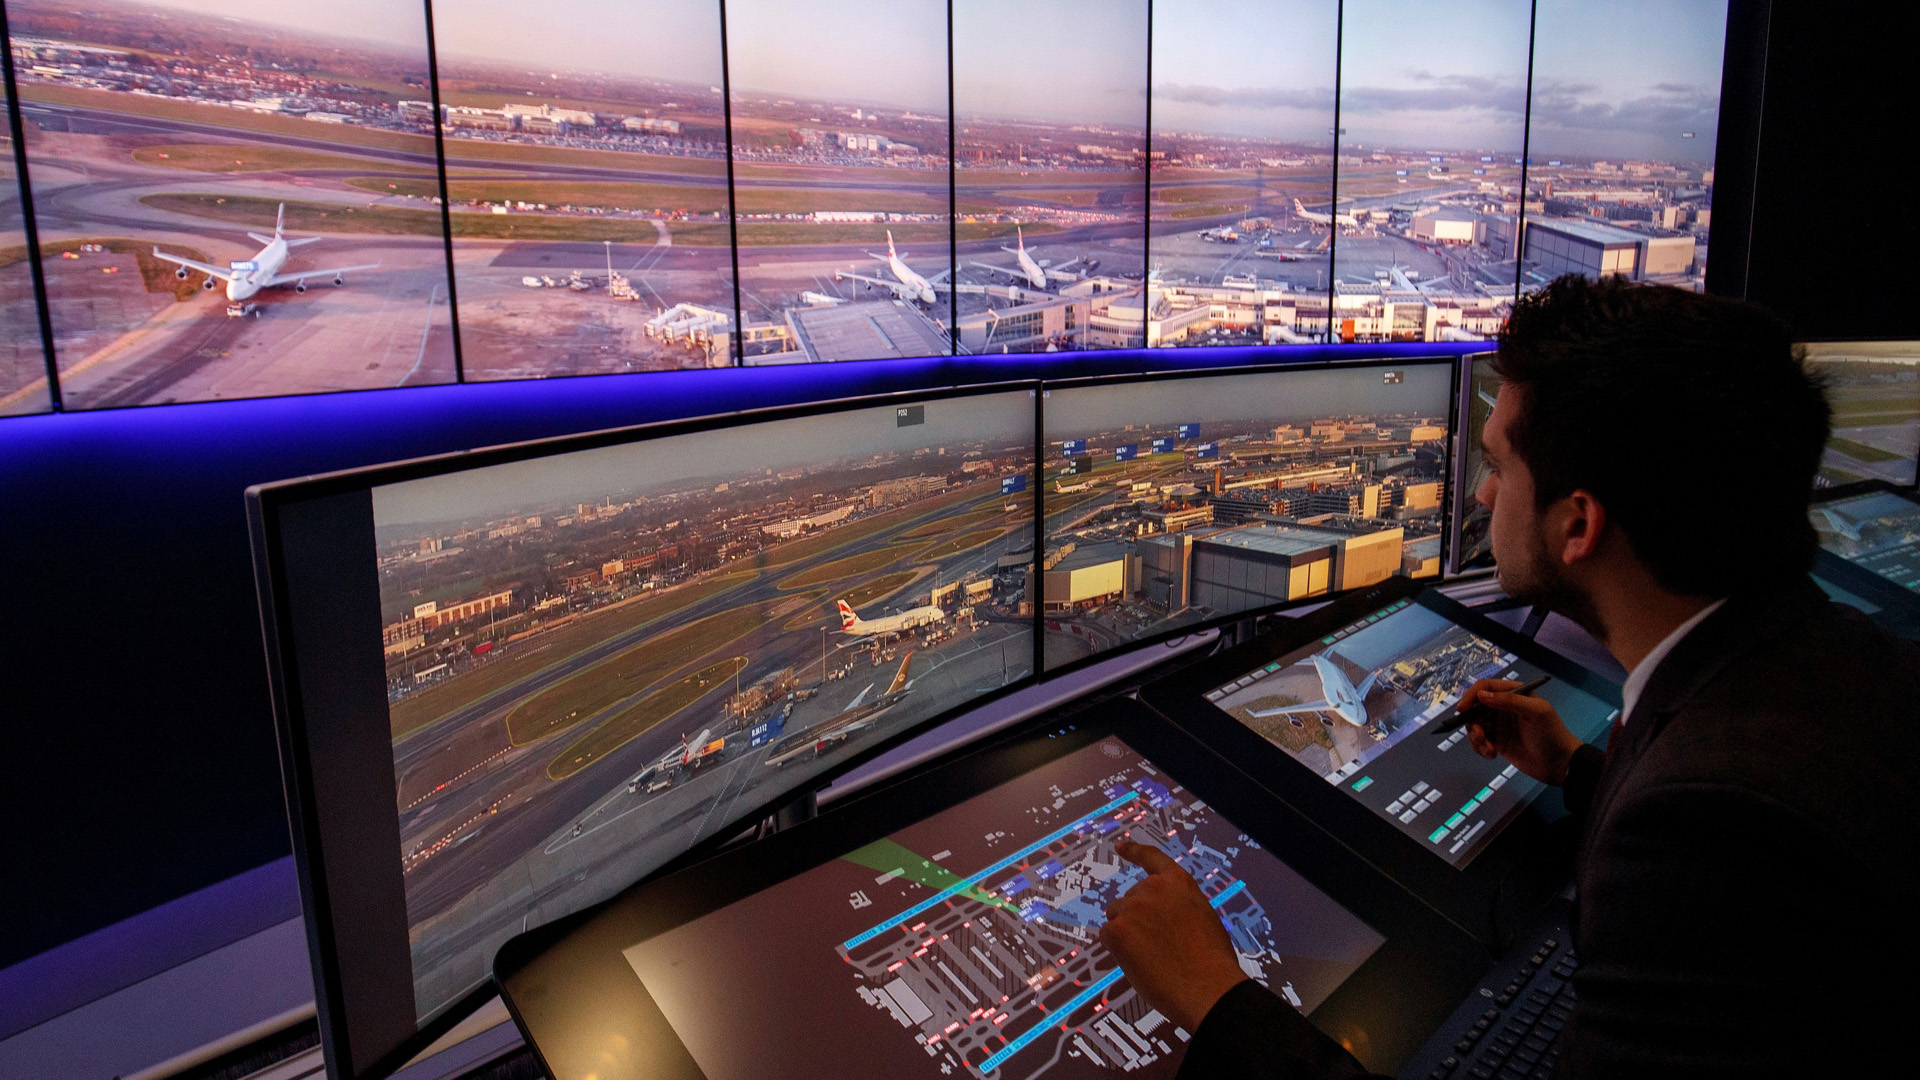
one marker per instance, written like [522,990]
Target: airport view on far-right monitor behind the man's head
[1875,389]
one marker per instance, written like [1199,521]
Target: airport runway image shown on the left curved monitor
[600,658]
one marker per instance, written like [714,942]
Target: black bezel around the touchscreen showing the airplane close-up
[1493,895]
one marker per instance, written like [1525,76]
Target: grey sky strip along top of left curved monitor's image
[667,464]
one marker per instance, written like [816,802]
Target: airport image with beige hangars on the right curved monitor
[1170,503]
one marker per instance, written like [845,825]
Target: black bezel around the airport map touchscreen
[573,994]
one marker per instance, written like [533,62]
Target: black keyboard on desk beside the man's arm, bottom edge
[1510,1025]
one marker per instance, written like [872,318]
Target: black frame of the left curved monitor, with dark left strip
[352,945]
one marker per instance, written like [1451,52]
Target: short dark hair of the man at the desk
[1691,418]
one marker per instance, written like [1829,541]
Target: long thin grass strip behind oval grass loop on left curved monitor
[554,647]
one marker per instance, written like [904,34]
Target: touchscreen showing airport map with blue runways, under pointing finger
[969,943]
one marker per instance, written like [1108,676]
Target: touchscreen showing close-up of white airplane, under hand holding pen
[1356,710]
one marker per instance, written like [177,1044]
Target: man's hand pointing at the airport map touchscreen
[1170,941]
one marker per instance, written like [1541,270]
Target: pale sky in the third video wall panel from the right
[1249,68]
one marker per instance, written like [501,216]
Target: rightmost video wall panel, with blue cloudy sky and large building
[1625,112]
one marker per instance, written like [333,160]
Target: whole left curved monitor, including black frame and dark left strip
[514,683]
